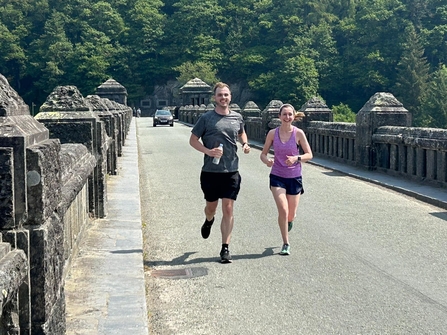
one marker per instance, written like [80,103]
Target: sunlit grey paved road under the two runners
[364,259]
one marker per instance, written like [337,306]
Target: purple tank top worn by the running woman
[282,150]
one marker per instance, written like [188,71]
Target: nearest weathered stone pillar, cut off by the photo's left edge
[29,198]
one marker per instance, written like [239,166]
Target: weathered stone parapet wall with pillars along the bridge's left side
[50,174]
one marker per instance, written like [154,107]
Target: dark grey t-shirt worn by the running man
[213,129]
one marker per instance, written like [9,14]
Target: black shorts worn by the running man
[216,186]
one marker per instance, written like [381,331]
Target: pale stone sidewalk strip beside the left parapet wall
[105,288]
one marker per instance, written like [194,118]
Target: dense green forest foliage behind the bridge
[341,50]
